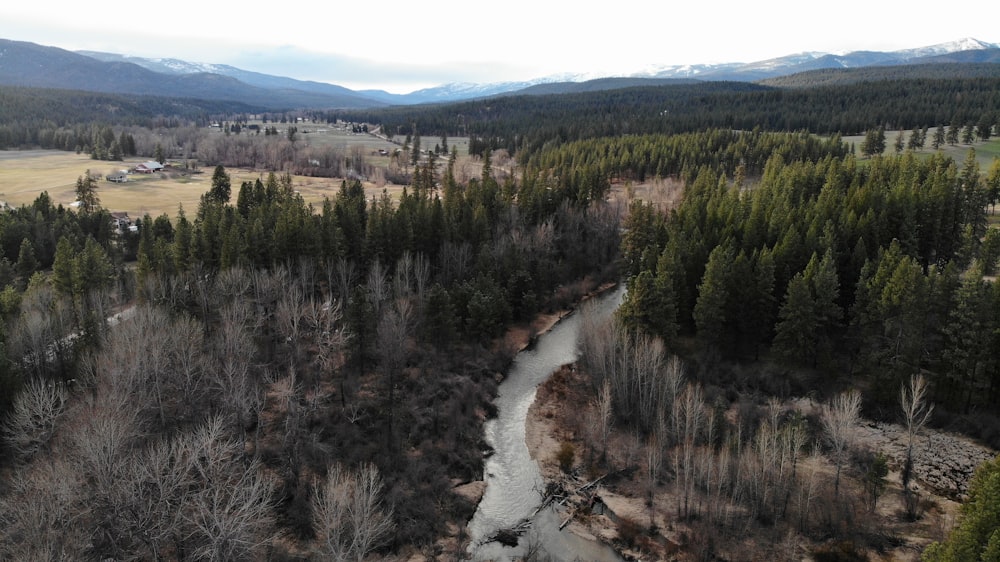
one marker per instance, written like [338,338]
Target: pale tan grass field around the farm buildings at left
[26,174]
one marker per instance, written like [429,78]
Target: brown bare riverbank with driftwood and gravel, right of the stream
[640,519]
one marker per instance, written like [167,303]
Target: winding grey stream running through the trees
[513,482]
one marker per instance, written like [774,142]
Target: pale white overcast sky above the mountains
[401,46]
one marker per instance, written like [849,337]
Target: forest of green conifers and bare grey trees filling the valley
[260,378]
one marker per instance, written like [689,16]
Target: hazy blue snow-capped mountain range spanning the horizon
[29,64]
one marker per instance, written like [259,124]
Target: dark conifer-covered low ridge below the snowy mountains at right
[524,124]
